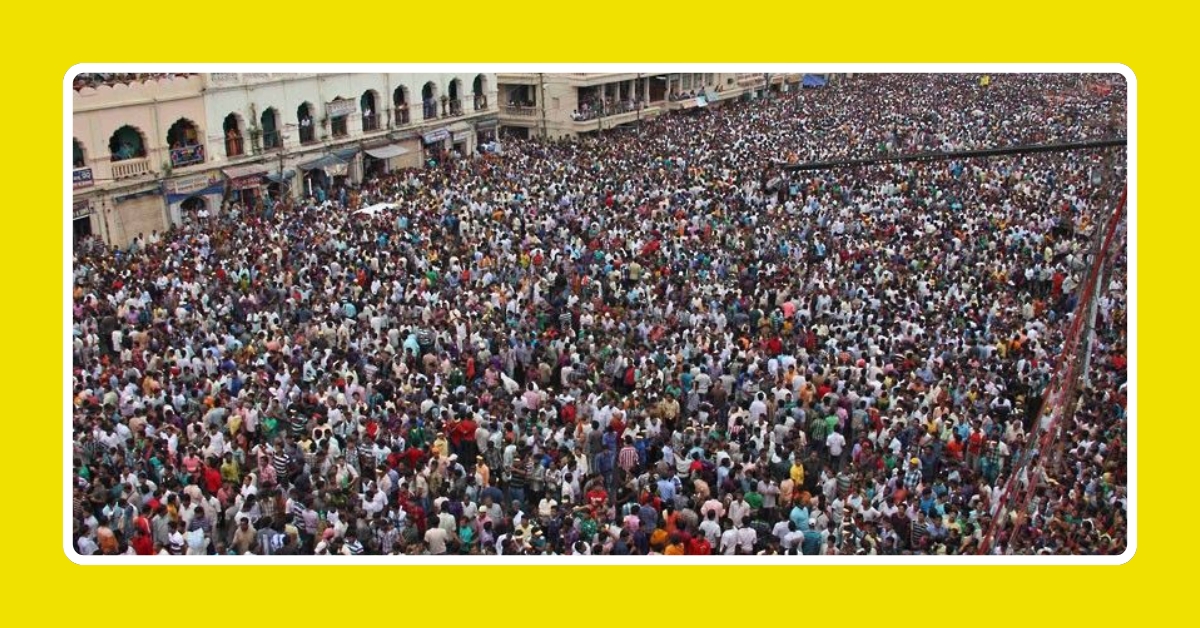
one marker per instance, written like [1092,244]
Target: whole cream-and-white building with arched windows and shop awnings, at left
[148,153]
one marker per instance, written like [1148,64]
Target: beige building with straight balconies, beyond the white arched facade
[567,105]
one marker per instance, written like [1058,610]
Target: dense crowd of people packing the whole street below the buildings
[647,343]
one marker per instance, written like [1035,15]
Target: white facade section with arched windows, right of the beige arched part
[295,134]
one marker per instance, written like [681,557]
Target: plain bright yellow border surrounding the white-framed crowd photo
[43,585]
